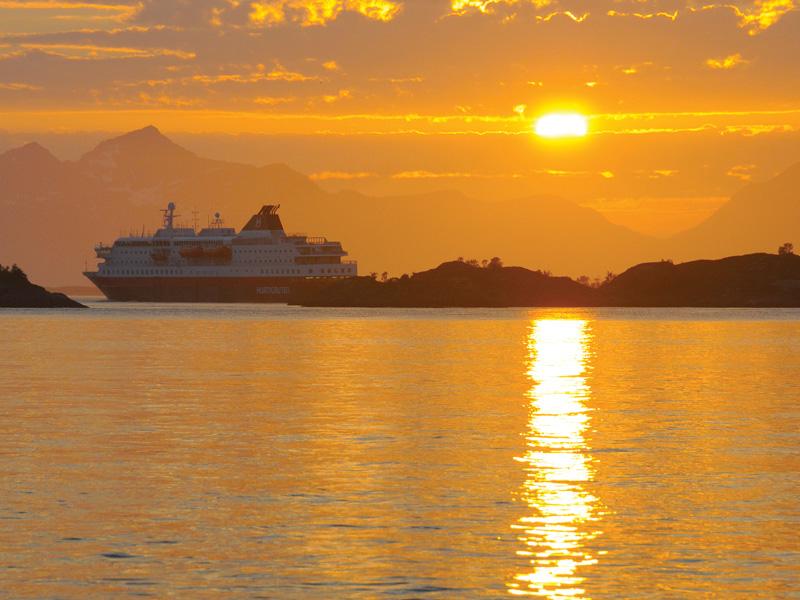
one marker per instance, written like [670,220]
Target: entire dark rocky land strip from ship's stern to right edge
[754,280]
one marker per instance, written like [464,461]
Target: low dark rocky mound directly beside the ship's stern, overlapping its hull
[453,284]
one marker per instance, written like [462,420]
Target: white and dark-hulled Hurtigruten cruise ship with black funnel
[261,263]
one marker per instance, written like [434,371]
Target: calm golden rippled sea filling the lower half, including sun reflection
[273,452]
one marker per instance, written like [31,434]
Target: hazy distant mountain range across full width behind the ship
[55,211]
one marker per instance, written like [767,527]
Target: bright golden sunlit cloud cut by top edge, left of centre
[319,12]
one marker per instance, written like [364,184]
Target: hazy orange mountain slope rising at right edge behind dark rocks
[757,219]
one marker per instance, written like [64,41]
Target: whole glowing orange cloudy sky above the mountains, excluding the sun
[687,100]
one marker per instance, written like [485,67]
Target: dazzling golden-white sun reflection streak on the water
[563,514]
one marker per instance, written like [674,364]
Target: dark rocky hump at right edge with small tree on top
[753,280]
